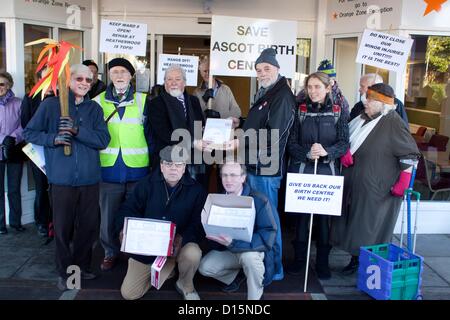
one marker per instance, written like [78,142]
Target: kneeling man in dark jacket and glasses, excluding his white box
[169,193]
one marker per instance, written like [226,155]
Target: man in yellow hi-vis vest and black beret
[126,159]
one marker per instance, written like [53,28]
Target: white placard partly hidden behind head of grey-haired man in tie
[188,63]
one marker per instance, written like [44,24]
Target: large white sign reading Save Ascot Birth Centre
[237,42]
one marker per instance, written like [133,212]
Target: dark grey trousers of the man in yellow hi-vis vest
[112,195]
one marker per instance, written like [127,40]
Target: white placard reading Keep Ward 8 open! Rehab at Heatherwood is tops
[123,37]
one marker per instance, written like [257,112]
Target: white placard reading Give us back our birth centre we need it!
[316,194]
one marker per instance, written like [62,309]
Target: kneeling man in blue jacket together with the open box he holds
[255,255]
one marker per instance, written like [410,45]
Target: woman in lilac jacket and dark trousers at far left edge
[10,159]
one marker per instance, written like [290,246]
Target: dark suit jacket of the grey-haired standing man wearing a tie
[166,114]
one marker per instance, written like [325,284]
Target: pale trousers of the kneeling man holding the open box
[225,265]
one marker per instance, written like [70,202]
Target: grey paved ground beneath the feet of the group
[27,272]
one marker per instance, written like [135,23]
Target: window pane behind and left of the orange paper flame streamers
[32,33]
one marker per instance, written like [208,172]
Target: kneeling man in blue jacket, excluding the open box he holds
[234,261]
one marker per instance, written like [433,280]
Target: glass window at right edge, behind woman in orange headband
[428,106]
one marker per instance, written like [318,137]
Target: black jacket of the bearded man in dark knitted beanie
[274,110]
